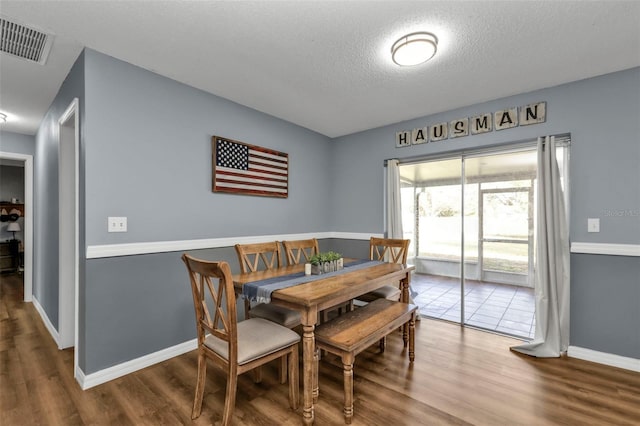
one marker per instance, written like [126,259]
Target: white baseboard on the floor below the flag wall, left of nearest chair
[94,379]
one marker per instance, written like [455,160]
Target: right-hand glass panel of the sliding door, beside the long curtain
[499,241]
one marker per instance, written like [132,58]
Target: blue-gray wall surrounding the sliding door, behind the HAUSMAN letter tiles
[603,116]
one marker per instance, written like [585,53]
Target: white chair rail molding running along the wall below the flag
[130,249]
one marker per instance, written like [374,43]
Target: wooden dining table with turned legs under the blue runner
[322,293]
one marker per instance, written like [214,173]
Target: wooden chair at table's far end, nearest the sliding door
[386,250]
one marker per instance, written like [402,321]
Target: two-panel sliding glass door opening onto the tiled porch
[472,219]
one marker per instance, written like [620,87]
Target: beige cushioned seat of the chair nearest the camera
[252,341]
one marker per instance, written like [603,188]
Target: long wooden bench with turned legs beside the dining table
[353,332]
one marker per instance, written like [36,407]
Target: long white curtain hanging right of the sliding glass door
[552,260]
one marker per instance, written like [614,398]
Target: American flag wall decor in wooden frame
[241,168]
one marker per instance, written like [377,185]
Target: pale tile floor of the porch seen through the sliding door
[502,308]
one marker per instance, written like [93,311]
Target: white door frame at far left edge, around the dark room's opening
[28,220]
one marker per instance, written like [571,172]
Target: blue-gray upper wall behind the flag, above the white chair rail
[149,158]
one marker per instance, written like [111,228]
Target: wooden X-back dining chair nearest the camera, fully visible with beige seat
[235,347]
